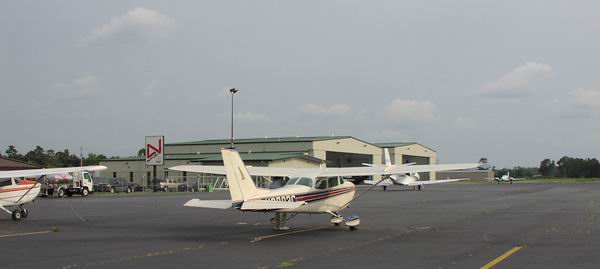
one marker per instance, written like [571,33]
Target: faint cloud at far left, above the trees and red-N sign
[80,88]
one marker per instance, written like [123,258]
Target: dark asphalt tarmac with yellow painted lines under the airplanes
[443,226]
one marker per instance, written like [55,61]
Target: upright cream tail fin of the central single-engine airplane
[241,186]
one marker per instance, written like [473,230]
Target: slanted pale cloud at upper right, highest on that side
[518,83]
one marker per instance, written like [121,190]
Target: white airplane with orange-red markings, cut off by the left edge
[16,192]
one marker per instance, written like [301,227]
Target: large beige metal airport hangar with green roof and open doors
[294,152]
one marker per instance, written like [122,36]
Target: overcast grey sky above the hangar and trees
[514,81]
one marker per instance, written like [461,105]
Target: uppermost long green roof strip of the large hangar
[260,140]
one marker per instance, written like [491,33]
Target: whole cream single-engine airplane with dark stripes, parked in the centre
[308,191]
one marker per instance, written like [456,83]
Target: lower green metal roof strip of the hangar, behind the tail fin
[211,157]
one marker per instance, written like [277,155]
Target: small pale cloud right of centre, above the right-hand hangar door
[406,111]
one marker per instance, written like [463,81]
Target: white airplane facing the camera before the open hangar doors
[404,179]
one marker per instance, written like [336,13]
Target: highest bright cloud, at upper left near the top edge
[138,24]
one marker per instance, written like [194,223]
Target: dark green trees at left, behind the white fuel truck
[51,158]
